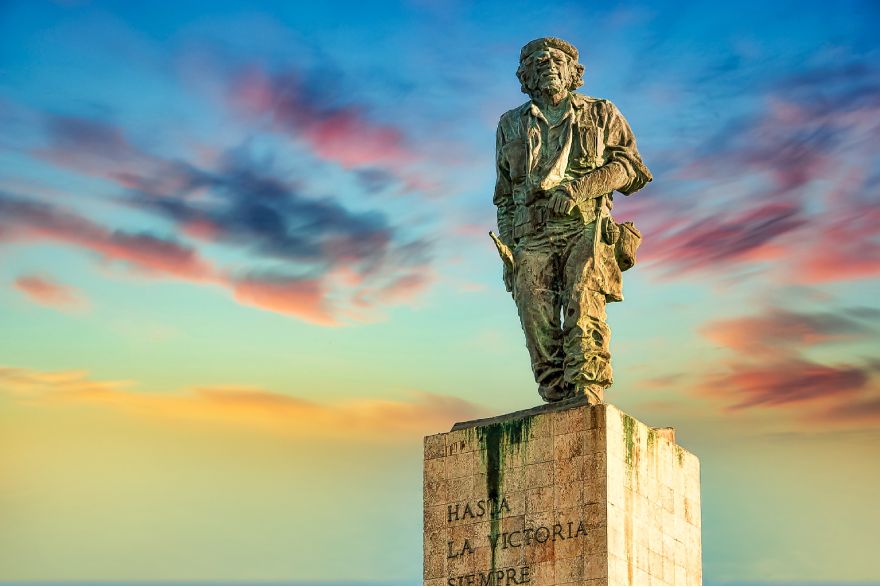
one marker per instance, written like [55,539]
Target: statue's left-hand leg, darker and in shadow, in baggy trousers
[536,291]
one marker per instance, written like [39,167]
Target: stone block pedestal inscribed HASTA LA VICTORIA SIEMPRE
[561,495]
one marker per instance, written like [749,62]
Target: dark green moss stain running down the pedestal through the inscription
[497,441]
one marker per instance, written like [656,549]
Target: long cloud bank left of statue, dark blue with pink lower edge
[239,204]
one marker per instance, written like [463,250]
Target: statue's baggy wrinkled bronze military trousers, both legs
[563,320]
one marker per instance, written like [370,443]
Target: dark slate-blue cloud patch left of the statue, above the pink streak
[253,209]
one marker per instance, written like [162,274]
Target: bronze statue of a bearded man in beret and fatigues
[560,156]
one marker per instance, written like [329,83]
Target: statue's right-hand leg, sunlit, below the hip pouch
[587,363]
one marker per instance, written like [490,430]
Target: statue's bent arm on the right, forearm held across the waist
[623,170]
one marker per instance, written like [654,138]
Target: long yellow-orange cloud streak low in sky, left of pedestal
[369,418]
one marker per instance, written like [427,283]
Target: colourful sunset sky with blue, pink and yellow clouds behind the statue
[244,270]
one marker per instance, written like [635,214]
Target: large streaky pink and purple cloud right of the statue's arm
[792,186]
